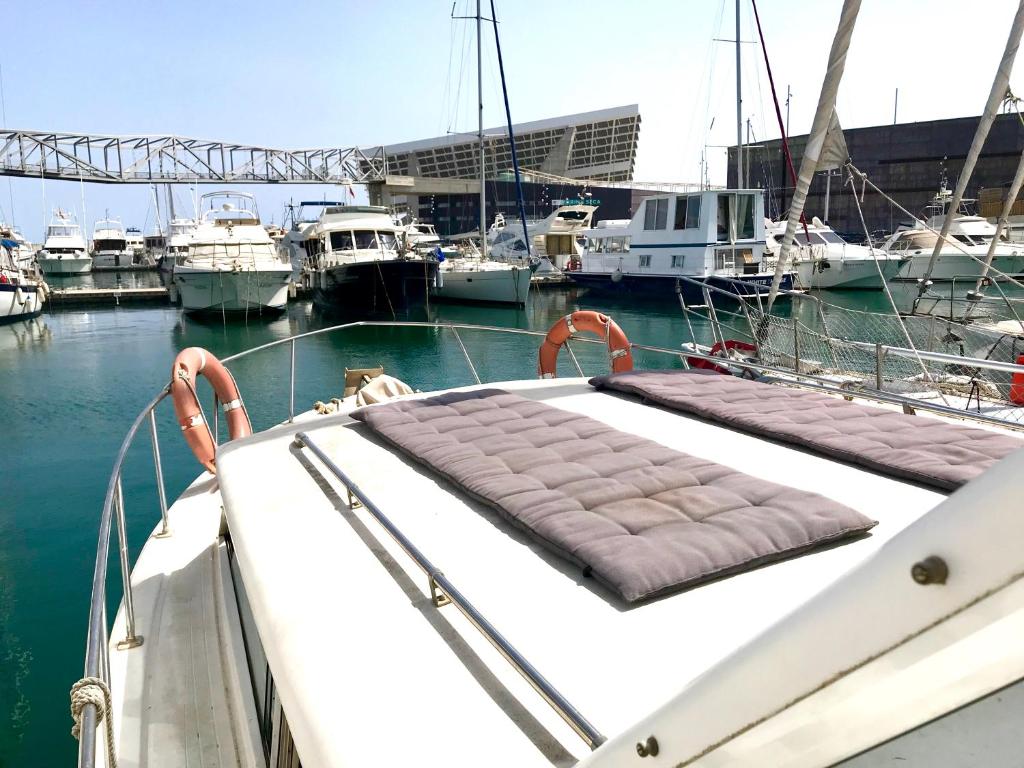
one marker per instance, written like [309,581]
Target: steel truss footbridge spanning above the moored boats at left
[175,159]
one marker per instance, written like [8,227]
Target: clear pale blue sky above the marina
[312,74]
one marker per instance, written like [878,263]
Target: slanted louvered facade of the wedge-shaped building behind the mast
[600,146]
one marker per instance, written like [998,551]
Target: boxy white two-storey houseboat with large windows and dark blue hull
[715,236]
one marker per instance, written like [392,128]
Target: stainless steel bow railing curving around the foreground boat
[113,515]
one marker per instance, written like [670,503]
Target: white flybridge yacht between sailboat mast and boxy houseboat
[556,242]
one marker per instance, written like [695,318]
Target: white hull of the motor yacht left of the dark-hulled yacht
[246,291]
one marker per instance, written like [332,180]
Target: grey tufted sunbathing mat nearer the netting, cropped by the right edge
[928,451]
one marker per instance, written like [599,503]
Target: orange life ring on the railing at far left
[188,366]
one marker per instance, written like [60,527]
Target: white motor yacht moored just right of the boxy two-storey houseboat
[823,260]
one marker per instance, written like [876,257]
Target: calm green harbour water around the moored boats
[72,382]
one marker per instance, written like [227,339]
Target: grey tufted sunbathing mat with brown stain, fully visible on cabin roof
[643,519]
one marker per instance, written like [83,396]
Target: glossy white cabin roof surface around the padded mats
[370,673]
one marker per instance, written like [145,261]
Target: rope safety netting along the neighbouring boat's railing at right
[849,347]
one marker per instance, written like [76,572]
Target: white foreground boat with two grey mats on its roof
[617,573]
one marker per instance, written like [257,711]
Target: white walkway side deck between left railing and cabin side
[184,698]
